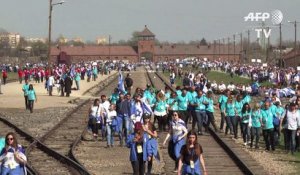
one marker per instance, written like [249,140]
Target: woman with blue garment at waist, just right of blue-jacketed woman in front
[152,143]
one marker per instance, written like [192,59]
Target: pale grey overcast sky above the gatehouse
[170,20]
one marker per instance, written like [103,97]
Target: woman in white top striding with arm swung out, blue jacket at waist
[177,133]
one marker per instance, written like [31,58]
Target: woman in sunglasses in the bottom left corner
[12,156]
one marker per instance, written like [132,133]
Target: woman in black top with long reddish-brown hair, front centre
[191,157]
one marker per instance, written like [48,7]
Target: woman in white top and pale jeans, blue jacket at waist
[110,124]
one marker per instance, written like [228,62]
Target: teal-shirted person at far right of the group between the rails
[208,101]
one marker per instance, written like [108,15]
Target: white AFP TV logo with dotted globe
[275,16]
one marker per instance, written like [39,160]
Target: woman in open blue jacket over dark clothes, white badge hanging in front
[137,142]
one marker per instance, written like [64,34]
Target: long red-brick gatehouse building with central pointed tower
[146,49]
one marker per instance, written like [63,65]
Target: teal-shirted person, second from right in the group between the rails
[200,110]
